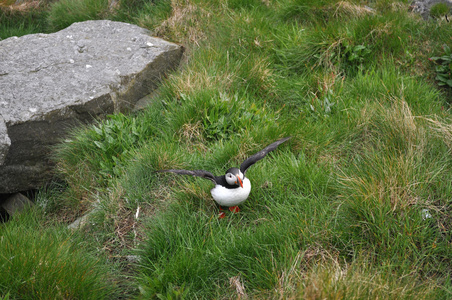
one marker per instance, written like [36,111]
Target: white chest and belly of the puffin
[231,197]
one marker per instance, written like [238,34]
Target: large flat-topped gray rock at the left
[50,83]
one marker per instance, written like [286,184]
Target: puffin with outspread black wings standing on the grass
[232,188]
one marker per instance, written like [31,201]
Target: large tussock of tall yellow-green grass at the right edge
[388,185]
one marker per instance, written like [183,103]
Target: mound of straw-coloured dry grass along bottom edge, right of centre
[319,274]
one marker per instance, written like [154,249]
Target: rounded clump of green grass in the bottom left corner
[40,263]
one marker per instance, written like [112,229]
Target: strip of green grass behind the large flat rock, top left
[50,16]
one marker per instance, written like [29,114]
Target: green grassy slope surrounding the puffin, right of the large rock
[337,212]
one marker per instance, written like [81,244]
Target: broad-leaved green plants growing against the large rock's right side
[104,147]
